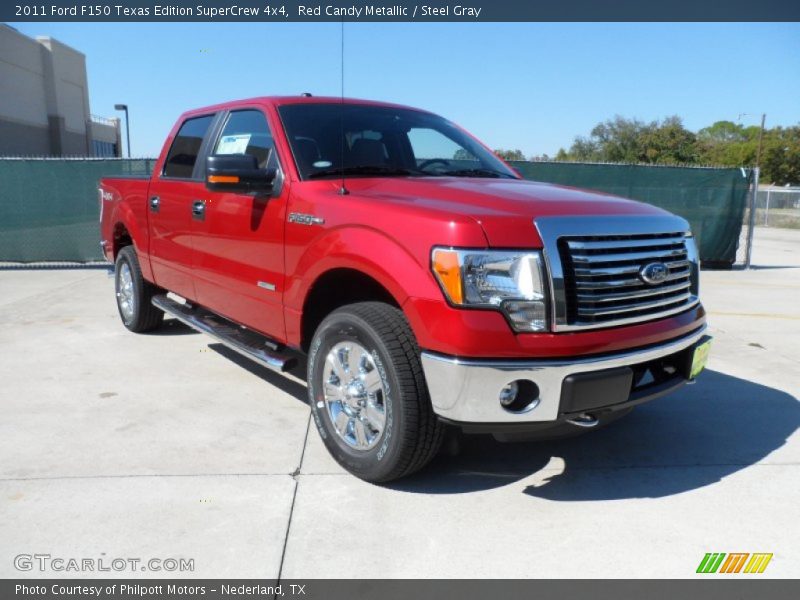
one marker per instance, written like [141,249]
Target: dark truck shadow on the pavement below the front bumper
[682,442]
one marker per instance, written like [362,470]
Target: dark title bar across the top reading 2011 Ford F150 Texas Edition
[399,10]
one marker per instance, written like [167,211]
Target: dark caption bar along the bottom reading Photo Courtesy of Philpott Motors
[707,587]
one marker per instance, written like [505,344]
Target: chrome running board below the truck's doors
[249,344]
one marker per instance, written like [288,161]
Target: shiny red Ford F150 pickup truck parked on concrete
[424,282]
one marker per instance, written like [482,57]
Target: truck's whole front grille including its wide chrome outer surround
[596,266]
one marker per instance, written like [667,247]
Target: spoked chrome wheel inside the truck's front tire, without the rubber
[354,395]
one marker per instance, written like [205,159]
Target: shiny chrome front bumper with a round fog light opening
[467,391]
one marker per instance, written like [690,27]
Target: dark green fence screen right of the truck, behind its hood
[713,200]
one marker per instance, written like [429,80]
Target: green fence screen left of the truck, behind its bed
[49,208]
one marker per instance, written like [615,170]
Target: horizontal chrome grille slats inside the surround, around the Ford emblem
[602,280]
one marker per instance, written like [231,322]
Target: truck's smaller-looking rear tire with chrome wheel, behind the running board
[134,294]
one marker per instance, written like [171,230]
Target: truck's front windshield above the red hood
[331,140]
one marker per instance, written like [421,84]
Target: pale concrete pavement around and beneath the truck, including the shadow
[167,445]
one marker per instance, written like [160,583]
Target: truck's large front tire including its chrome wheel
[368,394]
